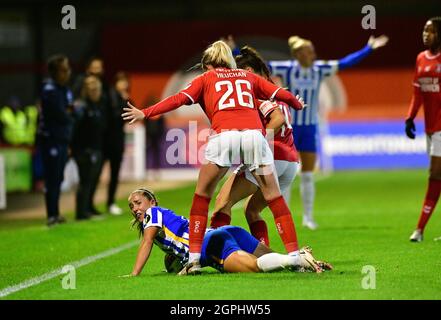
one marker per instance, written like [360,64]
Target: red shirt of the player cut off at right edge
[427,90]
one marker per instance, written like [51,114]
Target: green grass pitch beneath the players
[365,218]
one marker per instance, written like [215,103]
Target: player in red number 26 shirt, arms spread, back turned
[227,95]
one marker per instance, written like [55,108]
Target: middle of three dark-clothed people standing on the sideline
[87,144]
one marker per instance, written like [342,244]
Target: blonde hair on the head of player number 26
[217,55]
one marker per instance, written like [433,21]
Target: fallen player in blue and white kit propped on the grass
[227,249]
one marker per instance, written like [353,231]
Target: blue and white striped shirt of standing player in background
[306,83]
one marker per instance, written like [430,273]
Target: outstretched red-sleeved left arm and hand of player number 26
[171,103]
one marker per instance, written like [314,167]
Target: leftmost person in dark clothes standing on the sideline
[54,131]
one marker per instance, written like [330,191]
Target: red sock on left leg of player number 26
[198,222]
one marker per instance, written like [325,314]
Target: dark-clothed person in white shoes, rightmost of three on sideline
[114,137]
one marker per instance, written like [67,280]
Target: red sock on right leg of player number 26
[284,223]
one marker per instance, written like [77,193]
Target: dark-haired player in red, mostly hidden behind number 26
[242,184]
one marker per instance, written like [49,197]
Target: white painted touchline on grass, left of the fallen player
[54,273]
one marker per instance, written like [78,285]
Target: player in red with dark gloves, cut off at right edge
[427,93]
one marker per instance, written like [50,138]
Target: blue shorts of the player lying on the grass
[220,243]
